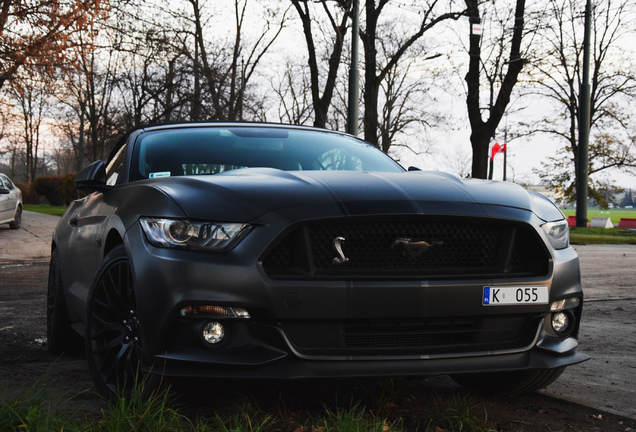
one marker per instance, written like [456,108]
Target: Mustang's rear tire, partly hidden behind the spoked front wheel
[61,338]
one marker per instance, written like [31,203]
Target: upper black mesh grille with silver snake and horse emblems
[419,247]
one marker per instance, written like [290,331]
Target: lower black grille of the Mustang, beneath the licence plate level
[413,337]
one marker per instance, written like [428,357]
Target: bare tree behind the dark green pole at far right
[613,89]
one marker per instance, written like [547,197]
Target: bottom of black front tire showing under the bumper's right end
[508,383]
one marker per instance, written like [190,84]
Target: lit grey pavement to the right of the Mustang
[608,332]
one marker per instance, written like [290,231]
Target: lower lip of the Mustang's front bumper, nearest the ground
[272,362]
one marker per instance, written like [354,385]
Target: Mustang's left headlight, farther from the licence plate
[185,234]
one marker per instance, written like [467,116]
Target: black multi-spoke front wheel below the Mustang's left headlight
[113,346]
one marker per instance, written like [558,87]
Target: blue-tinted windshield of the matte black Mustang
[213,150]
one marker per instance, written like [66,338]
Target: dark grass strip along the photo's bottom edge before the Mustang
[33,410]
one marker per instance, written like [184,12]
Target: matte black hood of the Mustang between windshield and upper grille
[244,195]
